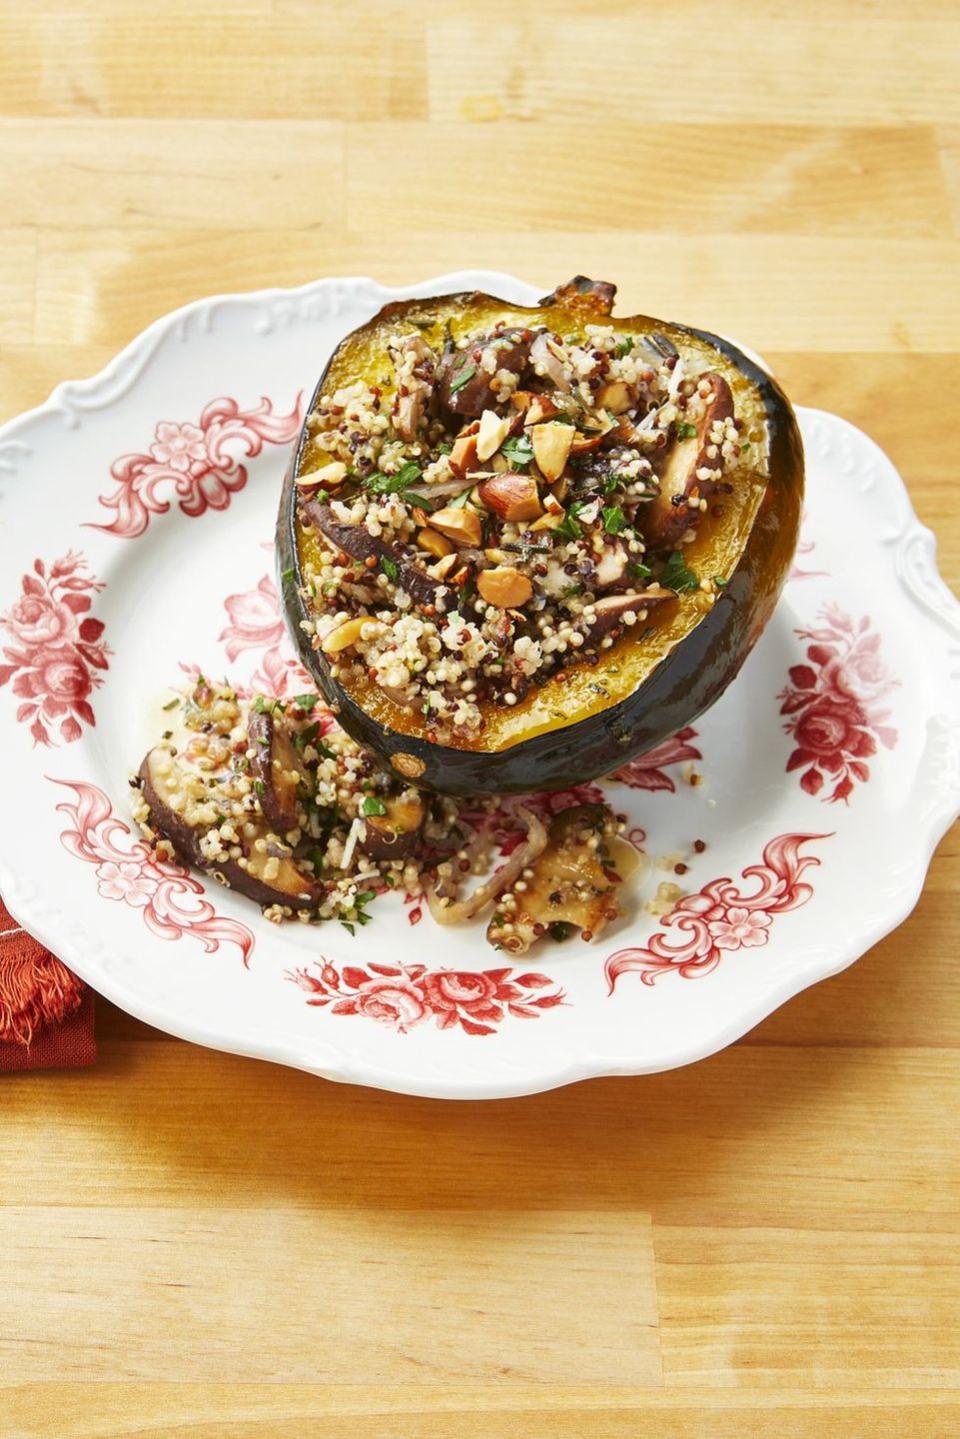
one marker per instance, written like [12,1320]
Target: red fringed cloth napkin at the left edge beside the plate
[47,1014]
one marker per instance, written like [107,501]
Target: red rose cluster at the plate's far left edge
[57,651]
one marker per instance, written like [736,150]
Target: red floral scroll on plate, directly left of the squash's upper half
[199,464]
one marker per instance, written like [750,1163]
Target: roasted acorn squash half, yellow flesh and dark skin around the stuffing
[589,717]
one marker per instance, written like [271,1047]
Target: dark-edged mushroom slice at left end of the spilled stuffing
[257,874]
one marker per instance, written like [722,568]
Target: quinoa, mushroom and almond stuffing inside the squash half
[503,506]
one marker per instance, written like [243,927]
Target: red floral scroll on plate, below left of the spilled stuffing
[129,873]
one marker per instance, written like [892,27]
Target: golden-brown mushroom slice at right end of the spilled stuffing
[572,884]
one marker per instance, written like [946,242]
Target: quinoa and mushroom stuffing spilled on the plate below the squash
[277,802]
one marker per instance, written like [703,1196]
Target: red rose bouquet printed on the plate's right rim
[834,704]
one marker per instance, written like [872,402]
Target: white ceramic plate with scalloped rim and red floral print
[136,522]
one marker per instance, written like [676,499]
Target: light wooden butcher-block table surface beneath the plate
[765,1244]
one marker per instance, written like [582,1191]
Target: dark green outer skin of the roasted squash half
[686,683]
